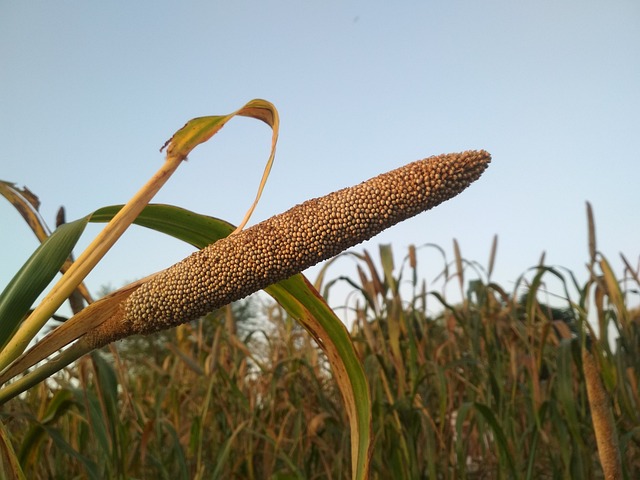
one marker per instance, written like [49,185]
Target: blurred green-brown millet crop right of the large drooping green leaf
[501,384]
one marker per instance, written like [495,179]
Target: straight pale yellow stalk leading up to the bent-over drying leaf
[86,262]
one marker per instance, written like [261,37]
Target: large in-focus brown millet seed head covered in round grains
[286,244]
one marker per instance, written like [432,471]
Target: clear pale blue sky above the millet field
[89,91]
